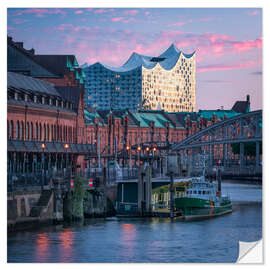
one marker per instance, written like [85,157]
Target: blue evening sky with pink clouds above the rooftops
[227,41]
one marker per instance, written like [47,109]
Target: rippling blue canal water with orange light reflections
[147,240]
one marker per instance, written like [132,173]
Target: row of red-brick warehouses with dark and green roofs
[46,106]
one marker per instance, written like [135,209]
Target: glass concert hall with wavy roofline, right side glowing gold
[166,82]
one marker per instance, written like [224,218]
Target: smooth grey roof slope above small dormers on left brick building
[19,81]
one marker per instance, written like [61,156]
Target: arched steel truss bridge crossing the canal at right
[218,138]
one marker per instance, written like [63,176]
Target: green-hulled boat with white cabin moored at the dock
[203,199]
